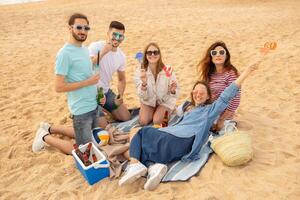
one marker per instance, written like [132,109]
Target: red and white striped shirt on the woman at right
[218,83]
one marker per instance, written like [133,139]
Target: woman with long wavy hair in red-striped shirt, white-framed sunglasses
[216,70]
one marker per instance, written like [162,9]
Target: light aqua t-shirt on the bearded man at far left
[75,64]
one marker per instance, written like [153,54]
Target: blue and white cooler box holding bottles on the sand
[96,171]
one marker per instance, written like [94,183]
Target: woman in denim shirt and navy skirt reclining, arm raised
[183,140]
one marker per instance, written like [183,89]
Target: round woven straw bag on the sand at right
[234,149]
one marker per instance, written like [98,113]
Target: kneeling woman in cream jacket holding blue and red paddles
[157,86]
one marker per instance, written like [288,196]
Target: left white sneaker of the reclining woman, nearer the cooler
[132,173]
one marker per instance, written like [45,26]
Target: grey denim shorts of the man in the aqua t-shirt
[83,125]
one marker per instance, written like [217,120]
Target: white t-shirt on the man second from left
[109,64]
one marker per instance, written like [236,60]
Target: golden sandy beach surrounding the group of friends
[32,33]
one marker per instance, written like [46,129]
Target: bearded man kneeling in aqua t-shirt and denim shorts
[74,75]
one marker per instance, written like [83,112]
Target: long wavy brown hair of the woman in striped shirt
[206,67]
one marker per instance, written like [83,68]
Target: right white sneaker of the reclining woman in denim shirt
[155,174]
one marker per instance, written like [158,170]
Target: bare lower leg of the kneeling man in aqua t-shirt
[63,145]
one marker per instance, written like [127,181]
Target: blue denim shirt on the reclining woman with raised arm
[198,121]
